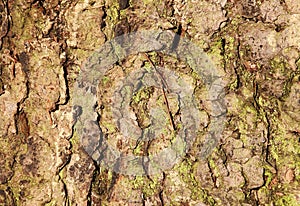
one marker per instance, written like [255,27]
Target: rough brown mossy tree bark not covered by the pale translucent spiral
[255,47]
